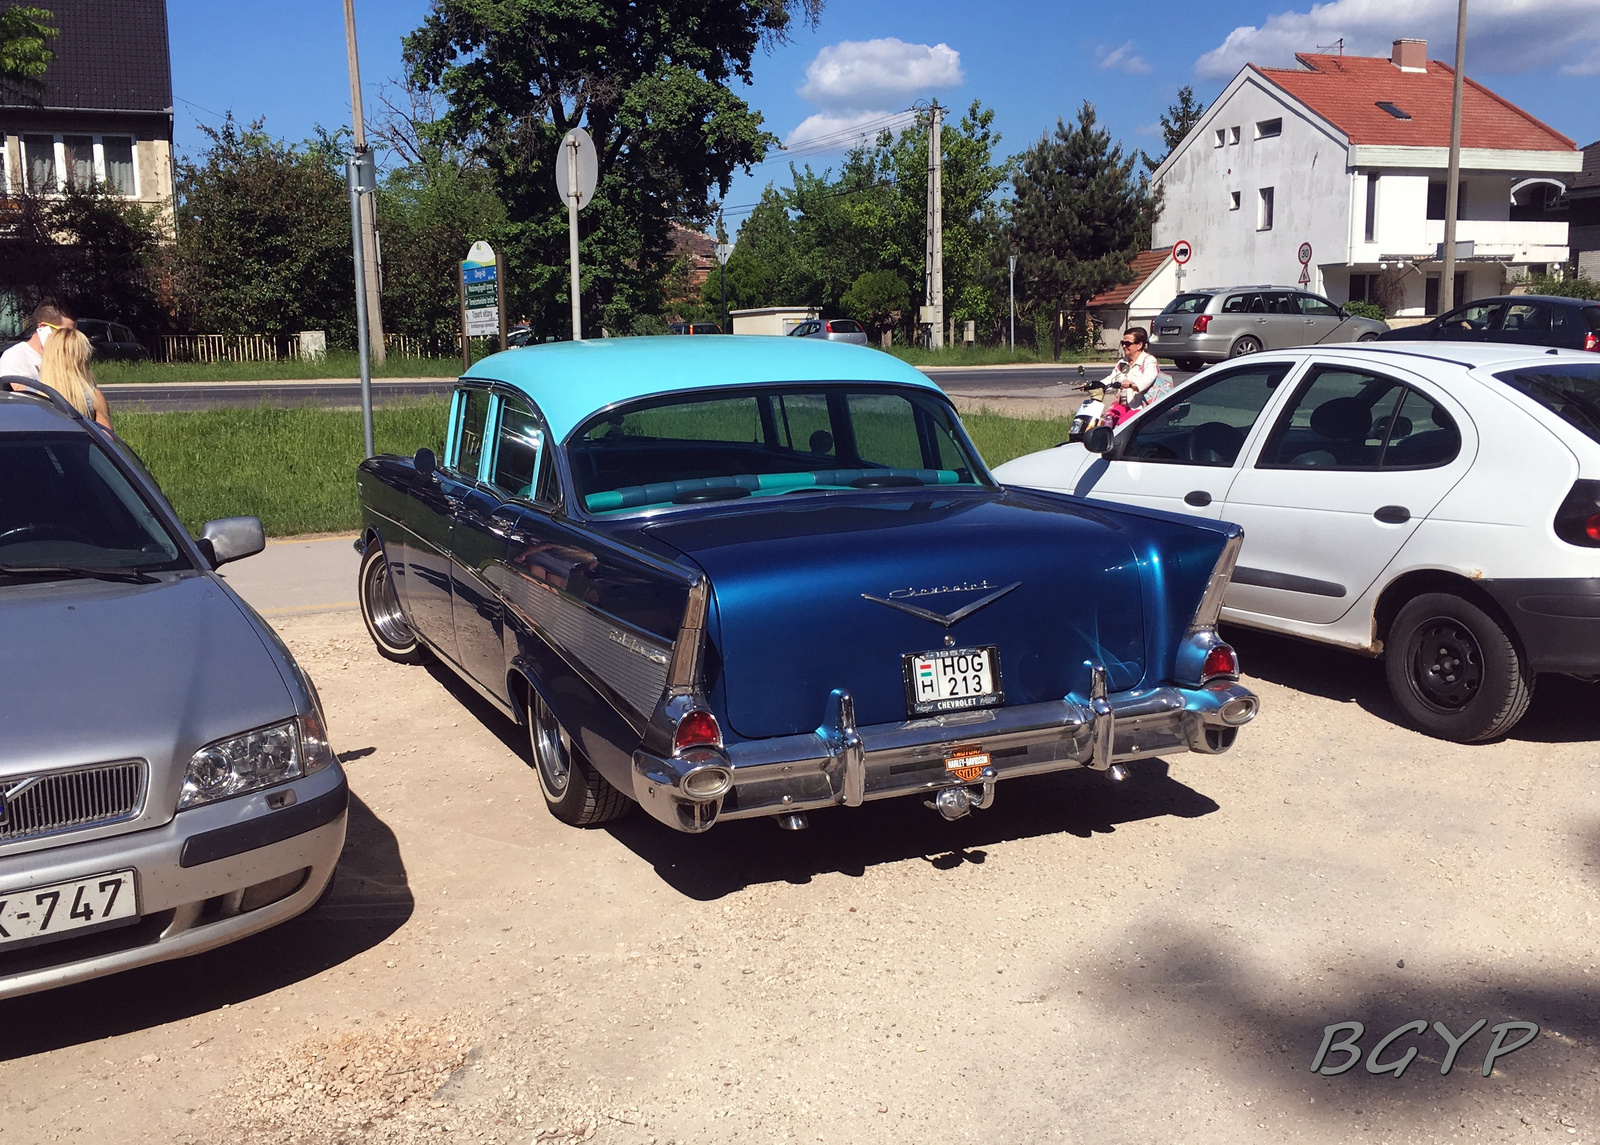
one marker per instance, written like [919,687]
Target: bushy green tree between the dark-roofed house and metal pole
[263,237]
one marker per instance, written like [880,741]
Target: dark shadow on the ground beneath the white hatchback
[1564,711]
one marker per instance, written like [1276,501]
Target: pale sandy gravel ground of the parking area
[1148,962]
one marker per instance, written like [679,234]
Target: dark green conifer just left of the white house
[1079,217]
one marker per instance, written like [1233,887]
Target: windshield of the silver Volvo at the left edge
[68,506]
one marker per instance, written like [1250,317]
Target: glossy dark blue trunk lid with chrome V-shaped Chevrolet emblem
[793,620]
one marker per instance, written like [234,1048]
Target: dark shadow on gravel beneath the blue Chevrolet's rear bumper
[849,840]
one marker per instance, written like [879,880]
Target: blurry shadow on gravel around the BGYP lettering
[1206,994]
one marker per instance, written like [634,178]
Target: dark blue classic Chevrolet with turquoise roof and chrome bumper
[750,576]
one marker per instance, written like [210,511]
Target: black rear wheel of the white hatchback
[1455,671]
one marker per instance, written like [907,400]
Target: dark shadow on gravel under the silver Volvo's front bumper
[367,901]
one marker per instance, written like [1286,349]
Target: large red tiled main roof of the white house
[1345,90]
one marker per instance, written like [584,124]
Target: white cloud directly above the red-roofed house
[1505,36]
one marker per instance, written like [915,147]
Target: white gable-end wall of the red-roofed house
[1306,169]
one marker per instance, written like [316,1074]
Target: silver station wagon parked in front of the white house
[1214,324]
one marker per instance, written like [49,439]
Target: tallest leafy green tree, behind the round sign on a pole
[652,84]
